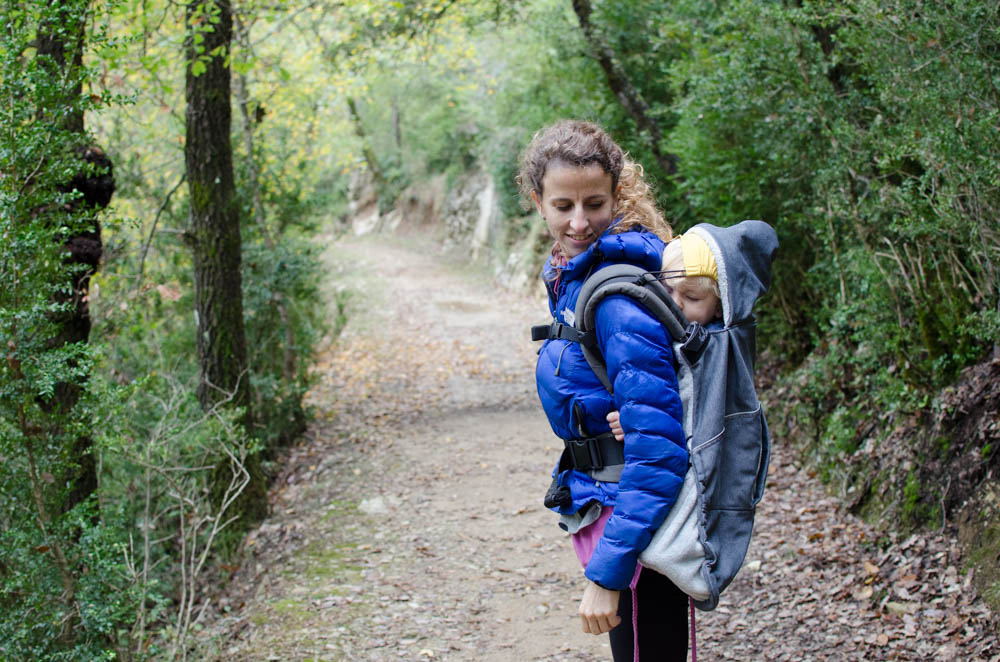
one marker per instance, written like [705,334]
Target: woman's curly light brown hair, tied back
[580,144]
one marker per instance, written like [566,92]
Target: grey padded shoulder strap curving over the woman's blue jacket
[632,281]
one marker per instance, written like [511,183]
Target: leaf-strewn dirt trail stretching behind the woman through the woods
[408,525]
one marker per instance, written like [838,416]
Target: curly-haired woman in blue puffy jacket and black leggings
[599,211]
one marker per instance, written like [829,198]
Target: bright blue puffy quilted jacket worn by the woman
[640,362]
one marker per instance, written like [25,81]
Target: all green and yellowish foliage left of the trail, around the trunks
[102,580]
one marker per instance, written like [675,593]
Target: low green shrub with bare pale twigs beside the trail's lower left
[162,455]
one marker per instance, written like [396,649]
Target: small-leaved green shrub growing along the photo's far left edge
[63,595]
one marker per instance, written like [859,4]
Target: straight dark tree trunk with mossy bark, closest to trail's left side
[215,237]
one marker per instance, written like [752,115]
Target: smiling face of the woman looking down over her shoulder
[577,203]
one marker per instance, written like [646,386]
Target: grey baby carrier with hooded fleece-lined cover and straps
[703,541]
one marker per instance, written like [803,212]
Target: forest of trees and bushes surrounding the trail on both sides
[167,171]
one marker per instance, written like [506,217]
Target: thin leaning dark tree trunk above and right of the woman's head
[618,80]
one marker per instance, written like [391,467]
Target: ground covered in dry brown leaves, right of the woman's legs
[821,585]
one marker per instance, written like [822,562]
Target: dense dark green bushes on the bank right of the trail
[862,132]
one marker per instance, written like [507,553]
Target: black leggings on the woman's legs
[662,624]
